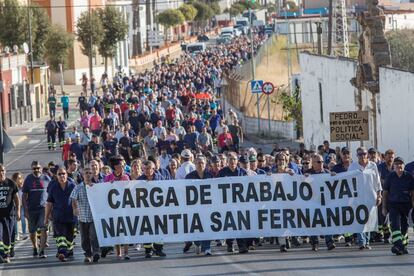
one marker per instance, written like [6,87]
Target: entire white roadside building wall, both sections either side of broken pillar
[326,87]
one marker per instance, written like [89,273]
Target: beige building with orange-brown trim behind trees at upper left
[66,13]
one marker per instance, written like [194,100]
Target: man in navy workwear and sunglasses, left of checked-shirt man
[59,201]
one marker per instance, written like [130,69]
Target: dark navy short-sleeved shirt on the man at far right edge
[399,188]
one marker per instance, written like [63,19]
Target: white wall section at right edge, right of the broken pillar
[396,112]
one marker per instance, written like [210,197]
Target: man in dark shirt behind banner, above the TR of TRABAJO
[233,170]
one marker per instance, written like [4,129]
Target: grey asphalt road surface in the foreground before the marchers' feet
[265,260]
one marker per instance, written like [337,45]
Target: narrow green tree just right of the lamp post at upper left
[40,33]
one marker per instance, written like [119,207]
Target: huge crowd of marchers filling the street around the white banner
[167,123]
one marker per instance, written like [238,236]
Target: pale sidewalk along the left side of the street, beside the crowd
[21,133]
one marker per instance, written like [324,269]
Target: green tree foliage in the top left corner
[13,23]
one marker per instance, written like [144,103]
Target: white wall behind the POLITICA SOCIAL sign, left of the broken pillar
[338,95]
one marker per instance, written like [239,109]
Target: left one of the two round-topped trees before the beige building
[89,33]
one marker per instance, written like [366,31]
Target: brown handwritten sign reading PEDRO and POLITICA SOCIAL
[349,126]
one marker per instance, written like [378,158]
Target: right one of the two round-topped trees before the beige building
[115,29]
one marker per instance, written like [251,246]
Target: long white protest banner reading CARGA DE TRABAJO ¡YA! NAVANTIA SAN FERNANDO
[233,207]
